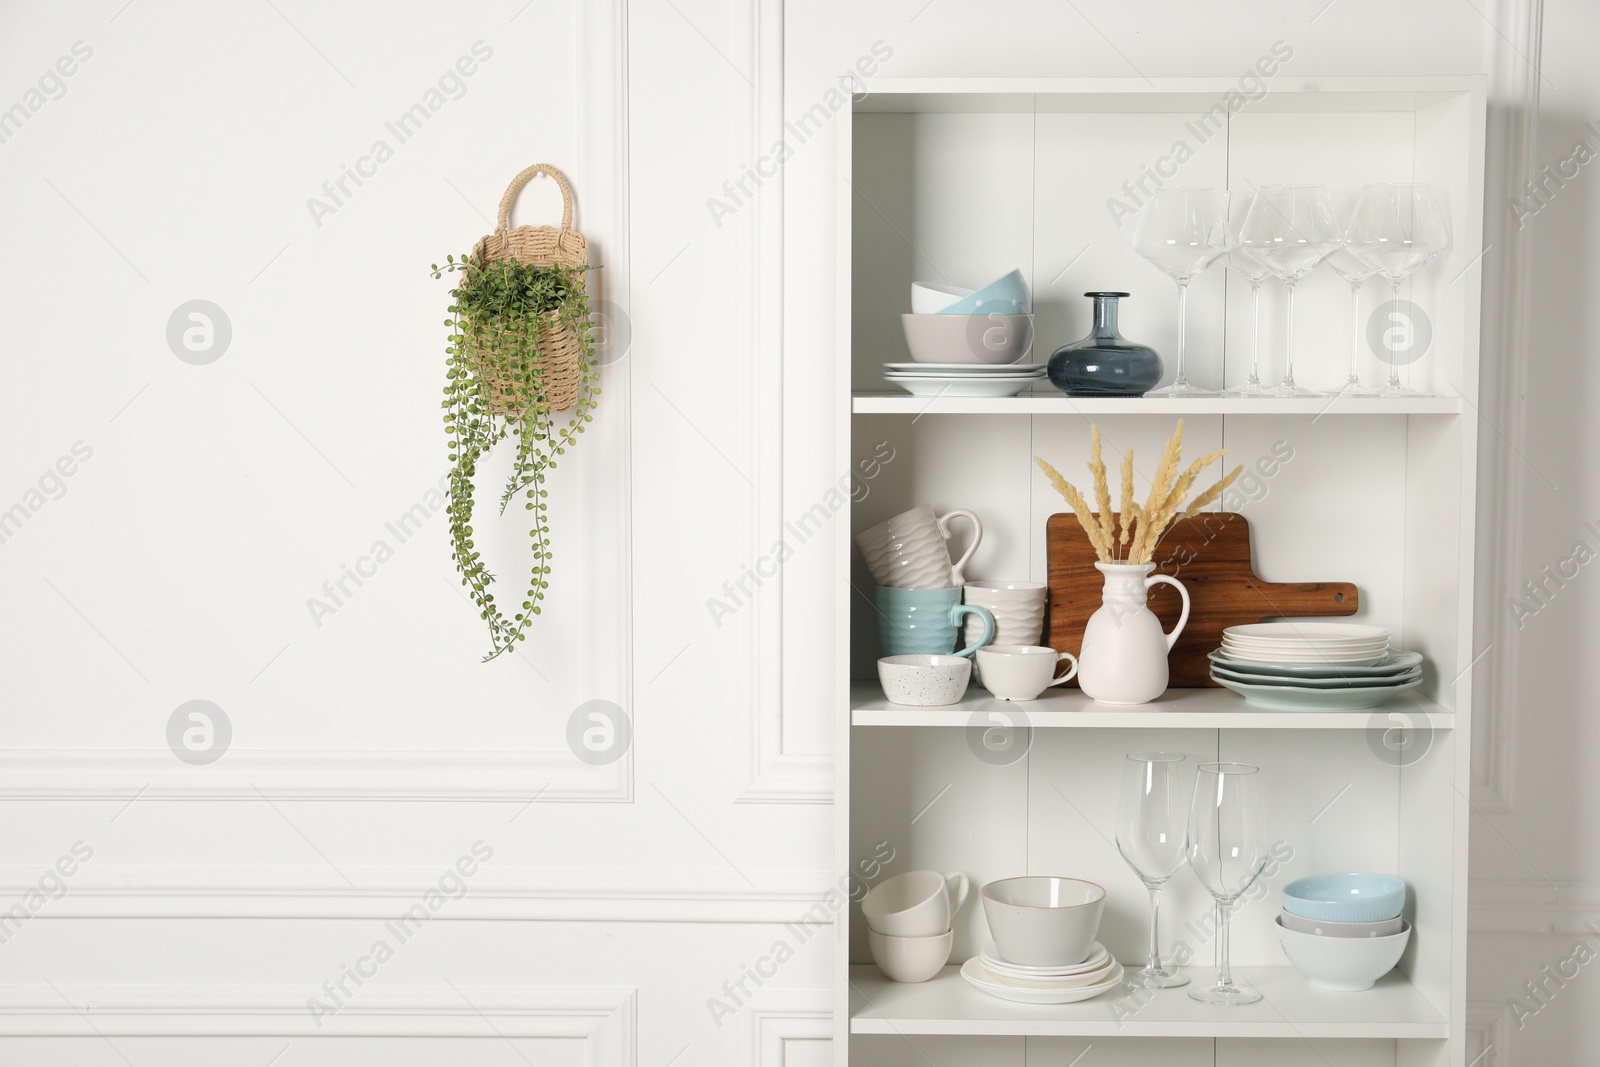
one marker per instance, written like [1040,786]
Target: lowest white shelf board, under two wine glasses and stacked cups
[1290,1009]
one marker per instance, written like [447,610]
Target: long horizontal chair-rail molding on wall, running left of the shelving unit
[382,893]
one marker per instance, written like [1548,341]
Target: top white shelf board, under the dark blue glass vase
[1052,402]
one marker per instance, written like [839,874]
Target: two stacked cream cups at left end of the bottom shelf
[910,922]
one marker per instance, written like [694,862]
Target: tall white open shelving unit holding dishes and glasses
[959,182]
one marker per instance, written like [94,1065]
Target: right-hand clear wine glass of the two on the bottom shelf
[1228,850]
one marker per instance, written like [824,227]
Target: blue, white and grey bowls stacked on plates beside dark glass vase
[969,343]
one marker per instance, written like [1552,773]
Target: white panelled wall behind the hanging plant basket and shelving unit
[175,564]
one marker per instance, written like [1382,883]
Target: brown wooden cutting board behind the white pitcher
[1210,556]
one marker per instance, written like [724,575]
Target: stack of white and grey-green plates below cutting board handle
[1314,666]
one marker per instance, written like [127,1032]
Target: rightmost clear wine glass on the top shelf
[1399,230]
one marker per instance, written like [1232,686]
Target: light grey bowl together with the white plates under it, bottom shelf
[1044,949]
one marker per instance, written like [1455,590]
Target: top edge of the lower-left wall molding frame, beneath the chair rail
[606,1018]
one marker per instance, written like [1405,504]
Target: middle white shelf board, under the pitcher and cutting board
[1175,709]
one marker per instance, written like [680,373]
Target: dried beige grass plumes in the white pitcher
[1143,526]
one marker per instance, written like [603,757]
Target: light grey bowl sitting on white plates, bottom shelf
[1044,922]
